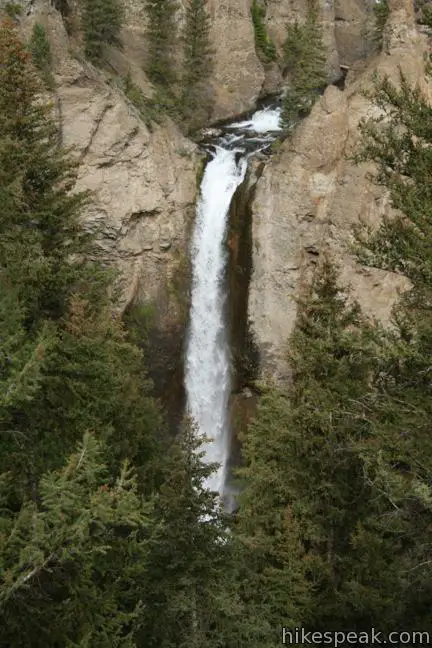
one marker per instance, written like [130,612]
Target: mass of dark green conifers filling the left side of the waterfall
[93,494]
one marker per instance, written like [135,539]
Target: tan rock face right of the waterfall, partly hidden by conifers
[310,195]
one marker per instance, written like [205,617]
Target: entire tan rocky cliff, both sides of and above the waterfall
[144,181]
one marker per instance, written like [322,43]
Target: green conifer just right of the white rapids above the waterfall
[305,65]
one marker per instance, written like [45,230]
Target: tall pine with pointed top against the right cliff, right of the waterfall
[304,491]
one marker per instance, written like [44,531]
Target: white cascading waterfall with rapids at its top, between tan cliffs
[207,378]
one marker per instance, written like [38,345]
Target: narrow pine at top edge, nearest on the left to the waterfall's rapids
[197,62]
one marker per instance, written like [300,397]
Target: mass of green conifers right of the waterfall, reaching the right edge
[343,454]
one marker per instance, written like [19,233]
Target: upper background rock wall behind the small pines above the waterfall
[239,77]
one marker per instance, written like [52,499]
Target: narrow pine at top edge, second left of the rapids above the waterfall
[161,38]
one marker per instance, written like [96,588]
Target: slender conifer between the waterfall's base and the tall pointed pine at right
[272,564]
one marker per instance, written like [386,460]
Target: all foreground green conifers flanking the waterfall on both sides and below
[107,534]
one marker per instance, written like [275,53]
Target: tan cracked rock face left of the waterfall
[143,182]
